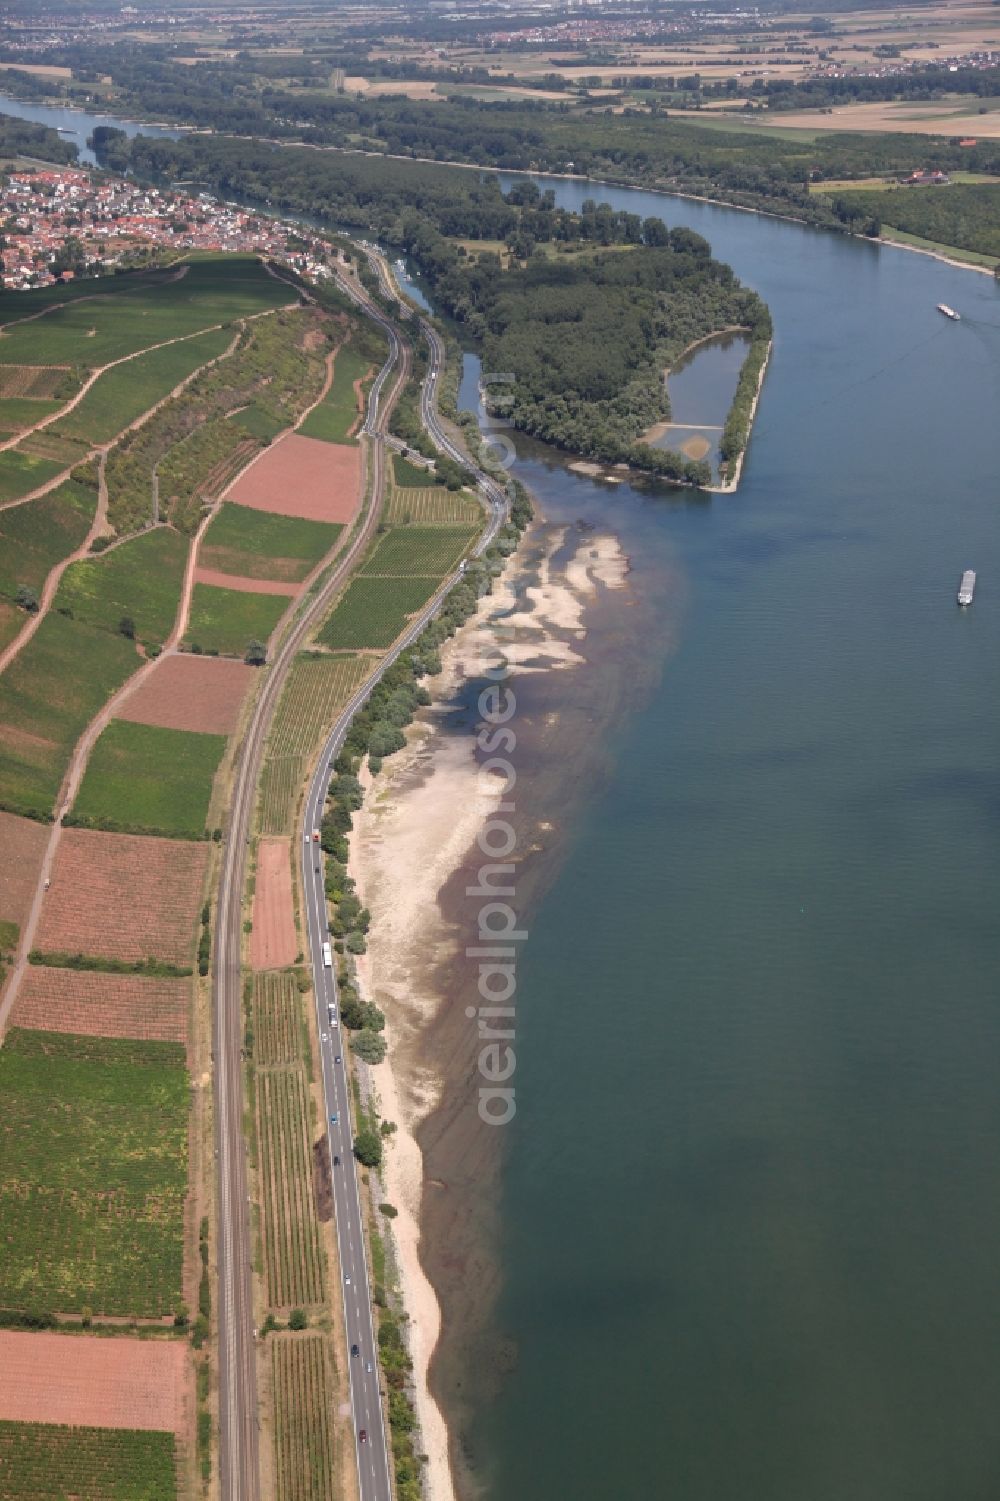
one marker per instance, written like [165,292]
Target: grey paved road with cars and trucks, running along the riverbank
[367,1407]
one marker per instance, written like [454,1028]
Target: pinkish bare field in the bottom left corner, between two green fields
[94,1383]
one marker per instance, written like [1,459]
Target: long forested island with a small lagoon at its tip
[586,311]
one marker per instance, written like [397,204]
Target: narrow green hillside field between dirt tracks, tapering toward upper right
[124,394]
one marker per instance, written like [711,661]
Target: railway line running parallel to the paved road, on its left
[239,1463]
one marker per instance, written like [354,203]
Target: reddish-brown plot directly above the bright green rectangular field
[190,693]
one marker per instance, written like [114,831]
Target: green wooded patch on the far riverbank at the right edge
[966,215]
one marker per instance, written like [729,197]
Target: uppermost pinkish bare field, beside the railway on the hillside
[303,478]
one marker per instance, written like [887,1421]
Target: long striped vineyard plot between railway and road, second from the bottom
[294,1257]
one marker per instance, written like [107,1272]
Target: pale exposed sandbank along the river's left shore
[420,822]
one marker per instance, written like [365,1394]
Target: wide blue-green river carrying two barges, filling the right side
[752,1197]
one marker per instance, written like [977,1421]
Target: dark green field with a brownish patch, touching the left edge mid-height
[49,696]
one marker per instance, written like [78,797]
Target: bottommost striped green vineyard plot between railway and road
[304,1430]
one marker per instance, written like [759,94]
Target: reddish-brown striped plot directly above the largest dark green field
[104,1005]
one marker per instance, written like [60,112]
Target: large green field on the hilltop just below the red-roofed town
[98,329]
